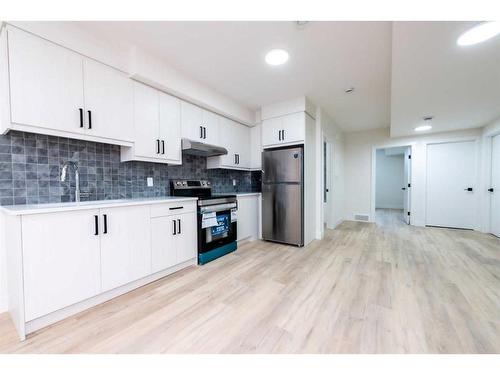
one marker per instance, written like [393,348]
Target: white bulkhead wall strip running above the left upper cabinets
[140,65]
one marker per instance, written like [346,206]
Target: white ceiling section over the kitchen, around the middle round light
[325,59]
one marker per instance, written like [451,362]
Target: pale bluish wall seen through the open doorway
[389,180]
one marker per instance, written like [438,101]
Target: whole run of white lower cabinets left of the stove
[61,263]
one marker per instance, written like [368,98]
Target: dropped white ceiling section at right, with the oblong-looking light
[432,75]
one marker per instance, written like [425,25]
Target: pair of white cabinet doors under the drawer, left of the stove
[173,240]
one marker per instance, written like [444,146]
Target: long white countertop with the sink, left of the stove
[29,209]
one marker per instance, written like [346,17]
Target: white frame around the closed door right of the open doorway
[477,178]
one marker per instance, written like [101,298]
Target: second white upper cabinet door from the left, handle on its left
[109,98]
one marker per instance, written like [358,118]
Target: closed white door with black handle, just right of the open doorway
[451,171]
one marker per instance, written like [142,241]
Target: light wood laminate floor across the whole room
[365,288]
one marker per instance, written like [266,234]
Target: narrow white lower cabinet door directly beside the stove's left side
[186,237]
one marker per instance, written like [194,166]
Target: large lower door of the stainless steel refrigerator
[282,213]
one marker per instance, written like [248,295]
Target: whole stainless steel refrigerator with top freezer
[283,195]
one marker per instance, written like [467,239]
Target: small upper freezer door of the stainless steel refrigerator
[282,165]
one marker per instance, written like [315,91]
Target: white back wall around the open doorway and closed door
[358,166]
